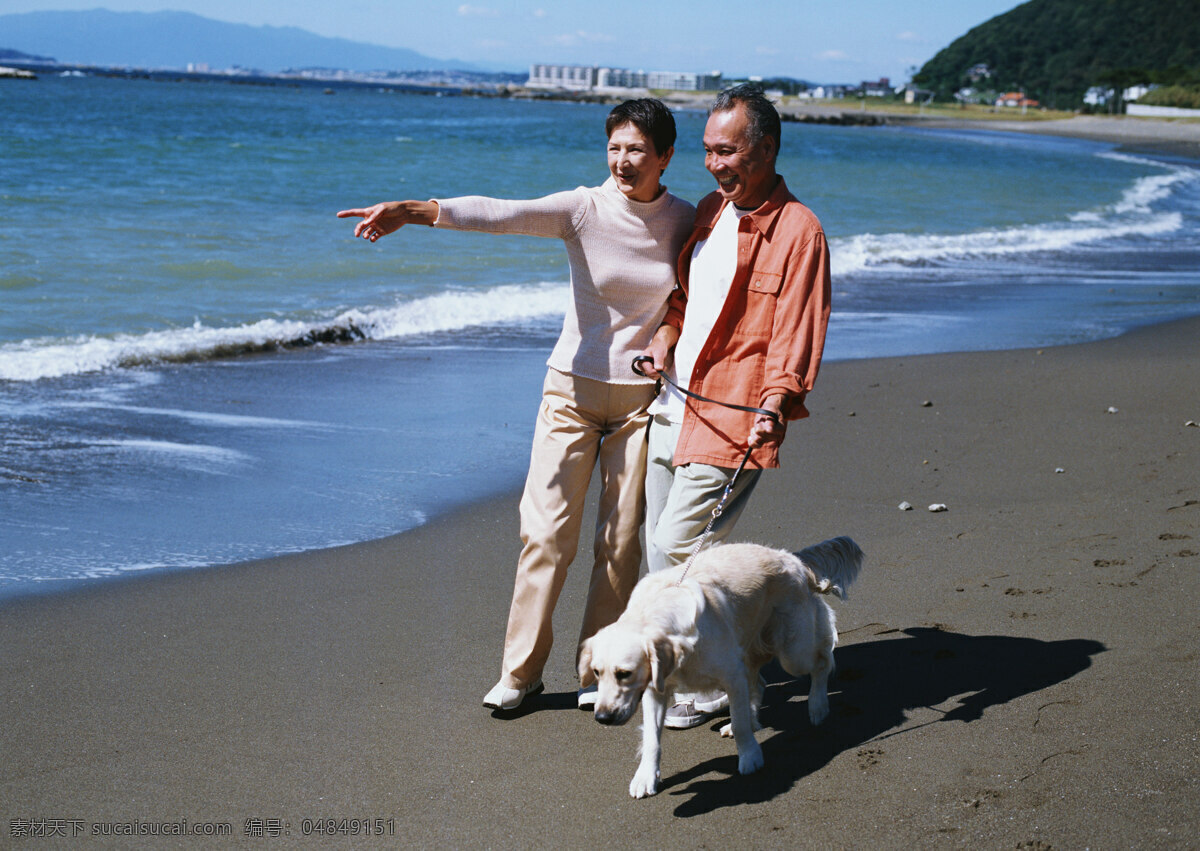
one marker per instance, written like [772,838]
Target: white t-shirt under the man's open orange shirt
[715,261]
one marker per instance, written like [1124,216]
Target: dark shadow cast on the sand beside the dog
[875,685]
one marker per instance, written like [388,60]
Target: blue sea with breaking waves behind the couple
[200,364]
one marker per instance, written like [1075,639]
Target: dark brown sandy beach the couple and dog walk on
[1017,672]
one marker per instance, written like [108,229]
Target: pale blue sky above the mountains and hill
[835,41]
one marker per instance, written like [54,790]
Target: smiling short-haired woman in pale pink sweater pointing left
[622,242]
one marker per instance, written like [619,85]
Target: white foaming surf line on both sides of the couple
[1137,214]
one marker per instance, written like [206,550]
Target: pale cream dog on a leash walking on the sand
[739,607]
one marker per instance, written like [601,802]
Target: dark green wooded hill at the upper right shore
[1057,50]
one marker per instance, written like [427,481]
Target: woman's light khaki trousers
[581,423]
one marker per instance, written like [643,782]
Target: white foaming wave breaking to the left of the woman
[38,359]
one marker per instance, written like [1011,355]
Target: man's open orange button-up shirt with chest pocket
[771,333]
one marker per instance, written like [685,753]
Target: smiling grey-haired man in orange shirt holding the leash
[745,326]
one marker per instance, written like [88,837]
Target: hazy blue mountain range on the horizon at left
[173,40]
